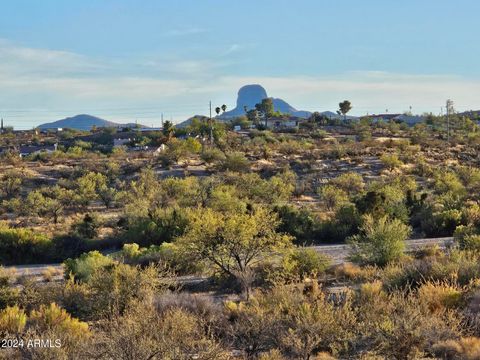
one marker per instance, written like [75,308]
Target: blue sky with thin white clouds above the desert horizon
[126,60]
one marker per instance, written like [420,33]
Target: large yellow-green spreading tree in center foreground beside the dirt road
[233,242]
